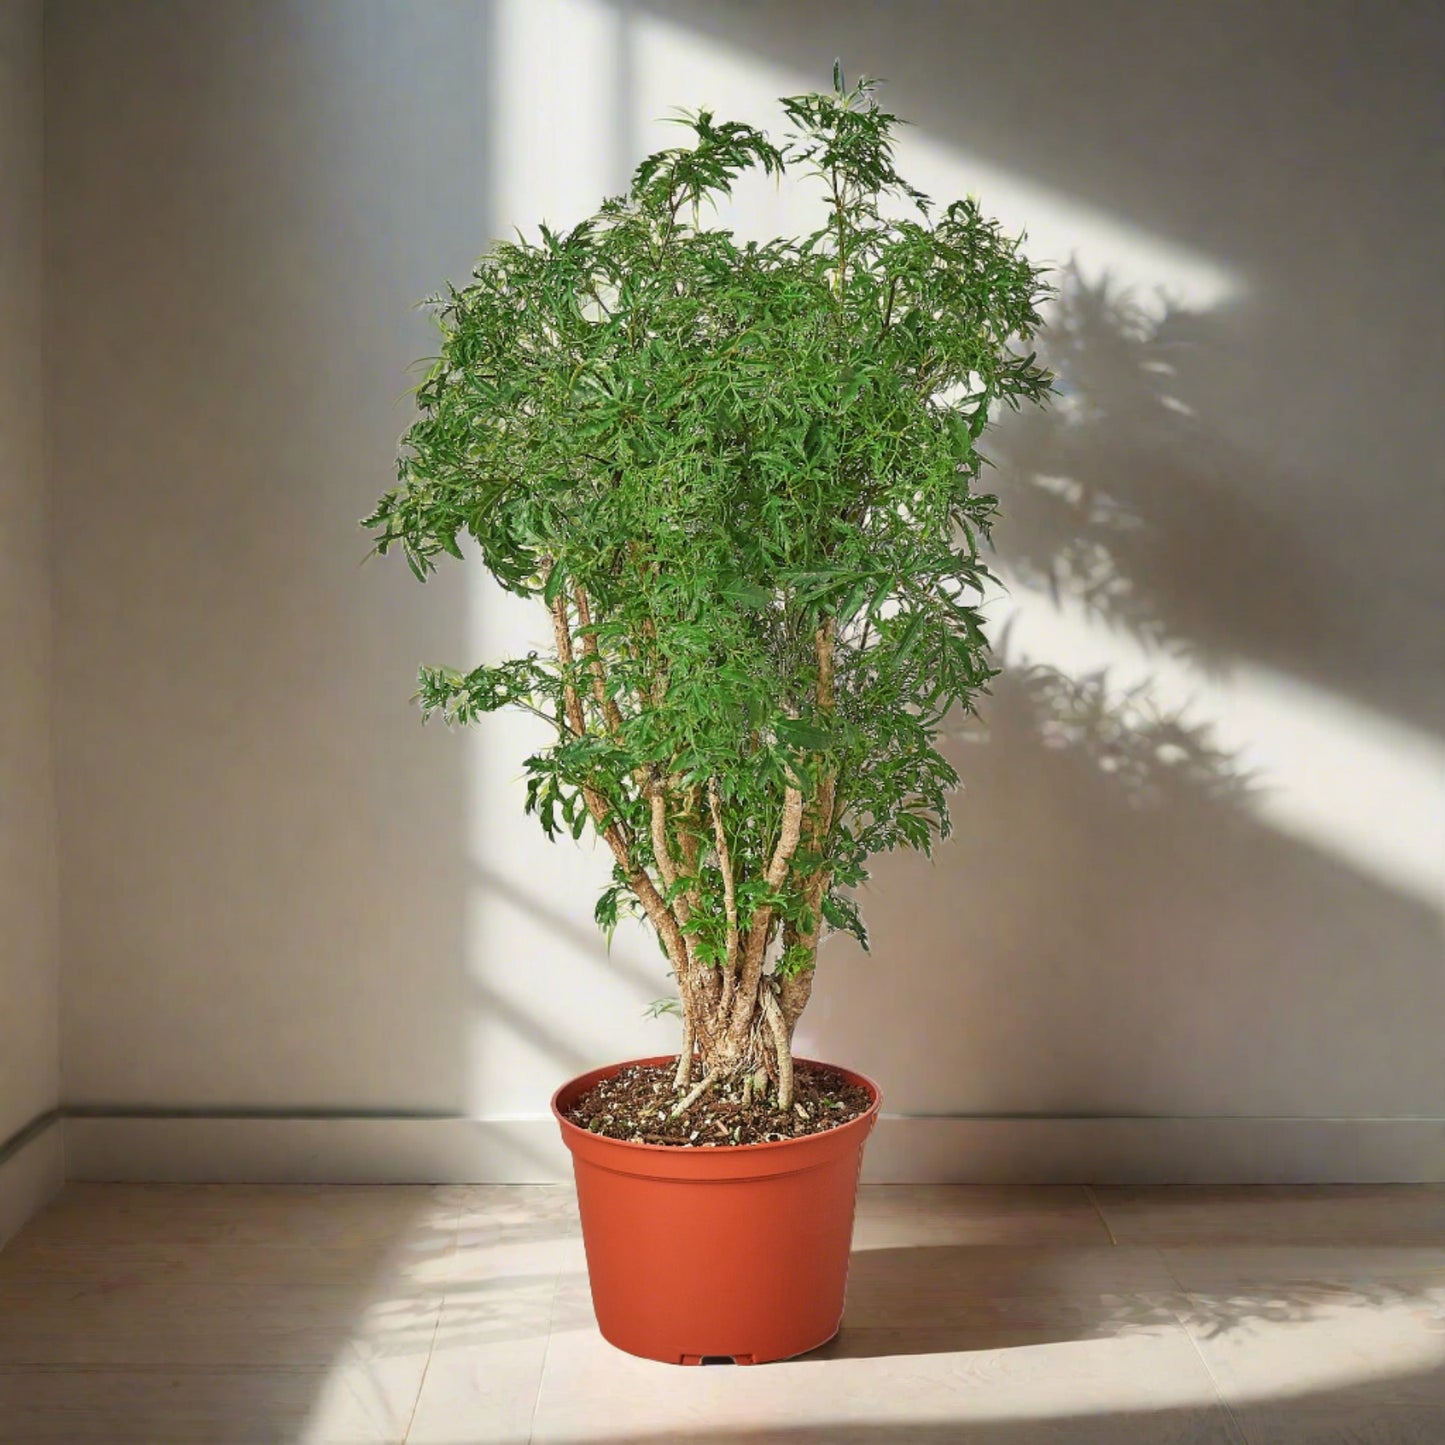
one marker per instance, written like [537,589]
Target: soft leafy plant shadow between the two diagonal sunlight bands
[1125,504]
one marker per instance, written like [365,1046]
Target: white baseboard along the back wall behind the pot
[902,1151]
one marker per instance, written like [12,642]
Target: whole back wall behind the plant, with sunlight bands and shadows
[282,894]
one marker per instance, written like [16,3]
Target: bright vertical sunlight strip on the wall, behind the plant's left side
[557,128]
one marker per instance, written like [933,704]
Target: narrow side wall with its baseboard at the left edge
[30,1048]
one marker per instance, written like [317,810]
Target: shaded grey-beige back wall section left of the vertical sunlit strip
[264,856]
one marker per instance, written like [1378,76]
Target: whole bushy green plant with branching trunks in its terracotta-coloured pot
[741,478]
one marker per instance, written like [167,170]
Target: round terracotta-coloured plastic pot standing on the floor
[735,1254]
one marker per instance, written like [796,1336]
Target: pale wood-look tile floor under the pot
[135,1316]
